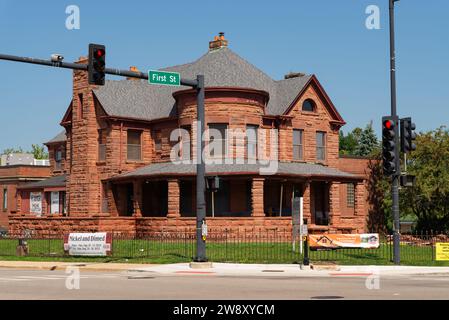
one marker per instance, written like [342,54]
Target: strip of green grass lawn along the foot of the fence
[148,251]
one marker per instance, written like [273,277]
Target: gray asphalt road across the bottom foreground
[38,284]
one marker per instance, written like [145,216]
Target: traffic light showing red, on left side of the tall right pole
[389,147]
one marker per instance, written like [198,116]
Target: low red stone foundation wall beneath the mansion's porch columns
[147,225]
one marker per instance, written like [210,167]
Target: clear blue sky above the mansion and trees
[324,37]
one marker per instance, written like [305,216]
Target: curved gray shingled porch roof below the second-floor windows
[284,168]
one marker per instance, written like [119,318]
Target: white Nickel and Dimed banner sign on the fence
[88,244]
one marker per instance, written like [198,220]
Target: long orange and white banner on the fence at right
[338,241]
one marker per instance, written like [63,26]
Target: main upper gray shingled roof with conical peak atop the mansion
[221,68]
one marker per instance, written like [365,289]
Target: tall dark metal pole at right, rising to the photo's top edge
[395,177]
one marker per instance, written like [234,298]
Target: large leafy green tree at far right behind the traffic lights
[428,200]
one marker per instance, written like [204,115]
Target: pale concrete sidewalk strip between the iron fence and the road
[230,269]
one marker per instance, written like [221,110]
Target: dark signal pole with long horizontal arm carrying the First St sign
[197,84]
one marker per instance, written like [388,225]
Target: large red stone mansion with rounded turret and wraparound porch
[111,166]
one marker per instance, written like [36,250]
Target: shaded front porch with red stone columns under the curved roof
[243,201]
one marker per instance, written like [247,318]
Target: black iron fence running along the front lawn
[230,245]
